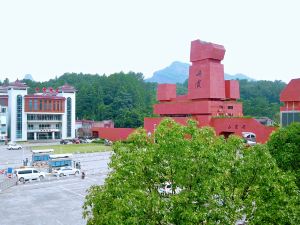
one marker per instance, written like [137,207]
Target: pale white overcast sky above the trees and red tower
[46,38]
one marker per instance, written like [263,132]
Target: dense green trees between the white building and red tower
[123,97]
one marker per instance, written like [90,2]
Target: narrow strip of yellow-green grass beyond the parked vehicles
[75,148]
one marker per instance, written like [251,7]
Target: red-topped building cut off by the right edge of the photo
[290,96]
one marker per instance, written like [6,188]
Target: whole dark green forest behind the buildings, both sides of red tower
[126,98]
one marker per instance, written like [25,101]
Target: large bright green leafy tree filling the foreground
[221,181]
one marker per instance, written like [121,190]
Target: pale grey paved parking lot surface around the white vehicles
[53,200]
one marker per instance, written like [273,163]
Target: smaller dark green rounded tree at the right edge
[284,146]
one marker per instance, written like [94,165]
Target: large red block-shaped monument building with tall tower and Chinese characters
[211,100]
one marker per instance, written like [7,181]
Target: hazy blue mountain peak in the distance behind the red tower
[178,72]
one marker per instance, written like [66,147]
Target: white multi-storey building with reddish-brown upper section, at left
[49,114]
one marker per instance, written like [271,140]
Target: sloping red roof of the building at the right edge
[291,92]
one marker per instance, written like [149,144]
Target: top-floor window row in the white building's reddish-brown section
[45,105]
